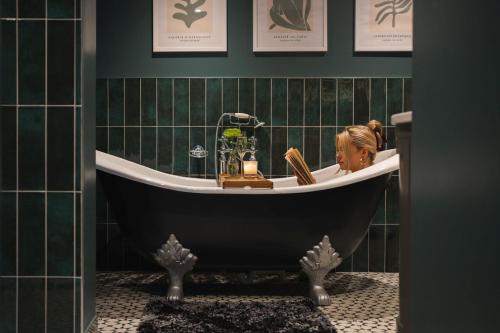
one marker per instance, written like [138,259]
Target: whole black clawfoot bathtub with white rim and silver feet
[246,229]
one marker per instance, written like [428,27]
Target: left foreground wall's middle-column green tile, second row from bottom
[31,235]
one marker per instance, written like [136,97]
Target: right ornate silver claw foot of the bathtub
[316,264]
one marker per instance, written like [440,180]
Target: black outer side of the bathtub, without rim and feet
[244,231]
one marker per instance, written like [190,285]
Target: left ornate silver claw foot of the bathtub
[178,261]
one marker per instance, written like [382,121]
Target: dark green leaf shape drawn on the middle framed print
[290,14]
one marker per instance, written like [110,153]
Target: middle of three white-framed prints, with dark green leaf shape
[290,29]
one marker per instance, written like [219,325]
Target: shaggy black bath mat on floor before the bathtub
[297,316]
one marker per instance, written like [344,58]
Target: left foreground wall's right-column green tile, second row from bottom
[60,227]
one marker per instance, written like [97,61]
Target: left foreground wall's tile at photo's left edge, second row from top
[8,62]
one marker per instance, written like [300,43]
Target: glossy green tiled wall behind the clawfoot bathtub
[156,122]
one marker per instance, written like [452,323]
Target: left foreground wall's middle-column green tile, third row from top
[31,148]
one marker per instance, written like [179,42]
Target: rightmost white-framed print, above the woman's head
[383,26]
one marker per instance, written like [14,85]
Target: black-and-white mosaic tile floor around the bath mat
[361,302]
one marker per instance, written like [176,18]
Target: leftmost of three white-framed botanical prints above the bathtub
[178,26]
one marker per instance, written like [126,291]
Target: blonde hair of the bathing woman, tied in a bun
[369,137]
